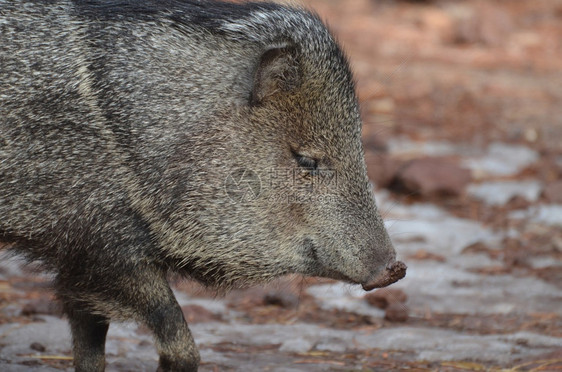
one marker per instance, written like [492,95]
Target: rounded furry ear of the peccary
[278,70]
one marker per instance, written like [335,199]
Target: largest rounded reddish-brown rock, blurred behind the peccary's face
[432,177]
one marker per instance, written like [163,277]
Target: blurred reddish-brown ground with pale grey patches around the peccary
[462,109]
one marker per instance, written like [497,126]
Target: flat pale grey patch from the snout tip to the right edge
[433,286]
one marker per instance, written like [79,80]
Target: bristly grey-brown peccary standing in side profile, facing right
[215,140]
